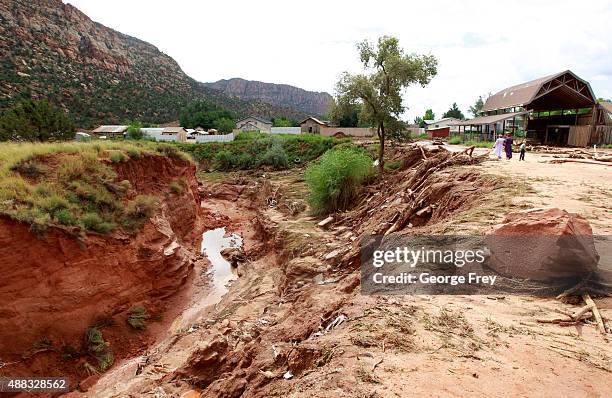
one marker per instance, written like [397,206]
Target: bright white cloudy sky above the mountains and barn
[482,46]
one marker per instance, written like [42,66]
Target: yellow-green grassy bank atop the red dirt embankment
[74,185]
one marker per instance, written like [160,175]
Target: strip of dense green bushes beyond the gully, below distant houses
[252,150]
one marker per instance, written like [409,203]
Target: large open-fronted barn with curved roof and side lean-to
[559,109]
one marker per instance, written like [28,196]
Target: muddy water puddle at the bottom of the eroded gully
[220,274]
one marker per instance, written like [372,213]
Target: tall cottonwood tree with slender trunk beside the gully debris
[387,72]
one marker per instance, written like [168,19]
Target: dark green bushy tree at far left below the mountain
[35,121]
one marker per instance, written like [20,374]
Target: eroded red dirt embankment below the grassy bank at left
[53,287]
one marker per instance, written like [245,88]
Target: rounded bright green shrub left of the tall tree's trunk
[335,180]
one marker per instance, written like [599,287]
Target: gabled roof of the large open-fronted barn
[565,89]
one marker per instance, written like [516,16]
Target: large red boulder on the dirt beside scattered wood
[542,244]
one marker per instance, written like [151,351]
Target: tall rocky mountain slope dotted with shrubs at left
[51,50]
